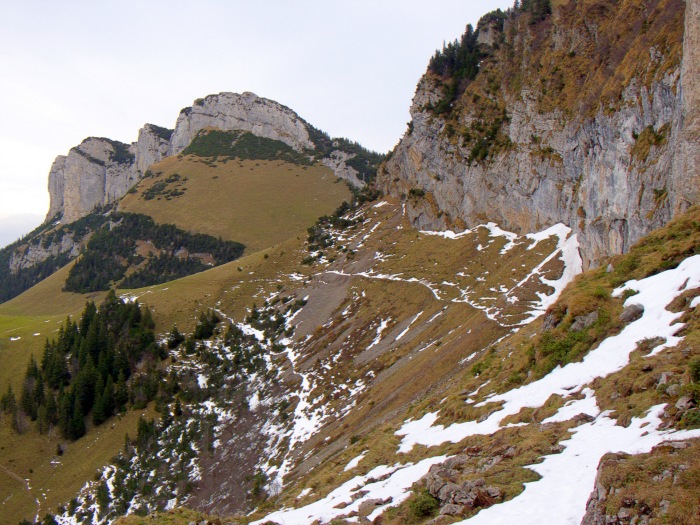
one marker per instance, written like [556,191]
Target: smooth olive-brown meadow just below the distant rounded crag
[259,203]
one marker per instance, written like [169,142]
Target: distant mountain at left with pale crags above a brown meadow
[88,184]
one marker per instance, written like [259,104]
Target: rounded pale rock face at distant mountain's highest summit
[246,112]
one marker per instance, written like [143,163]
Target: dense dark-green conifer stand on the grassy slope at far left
[93,369]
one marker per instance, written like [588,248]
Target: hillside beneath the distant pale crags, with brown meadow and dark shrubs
[260,193]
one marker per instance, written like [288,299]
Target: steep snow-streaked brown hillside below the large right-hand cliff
[397,357]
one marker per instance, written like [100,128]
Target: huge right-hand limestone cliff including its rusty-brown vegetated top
[576,118]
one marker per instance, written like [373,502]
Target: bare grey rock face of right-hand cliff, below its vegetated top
[588,169]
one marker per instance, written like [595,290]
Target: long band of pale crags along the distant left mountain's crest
[100,171]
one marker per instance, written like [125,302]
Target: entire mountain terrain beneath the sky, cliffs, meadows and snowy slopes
[473,344]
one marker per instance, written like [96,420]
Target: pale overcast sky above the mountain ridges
[73,69]
